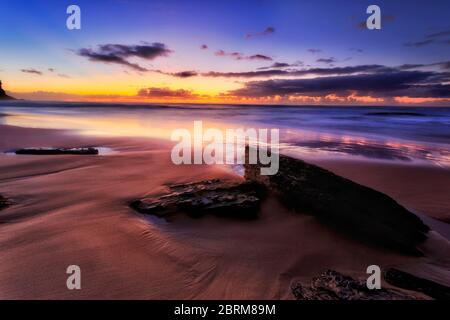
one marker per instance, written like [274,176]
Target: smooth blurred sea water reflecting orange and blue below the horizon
[408,134]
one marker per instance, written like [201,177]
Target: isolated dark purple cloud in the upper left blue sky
[118,53]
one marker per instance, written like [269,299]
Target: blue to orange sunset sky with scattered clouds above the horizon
[274,52]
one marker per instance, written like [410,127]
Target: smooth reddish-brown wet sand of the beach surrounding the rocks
[73,210]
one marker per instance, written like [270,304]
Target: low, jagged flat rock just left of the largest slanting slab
[231,199]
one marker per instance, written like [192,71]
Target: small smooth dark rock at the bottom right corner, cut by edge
[408,281]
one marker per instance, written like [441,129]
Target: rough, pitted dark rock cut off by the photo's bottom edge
[332,285]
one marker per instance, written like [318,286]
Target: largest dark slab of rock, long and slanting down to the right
[357,210]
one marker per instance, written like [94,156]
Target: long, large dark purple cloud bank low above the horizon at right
[388,84]
